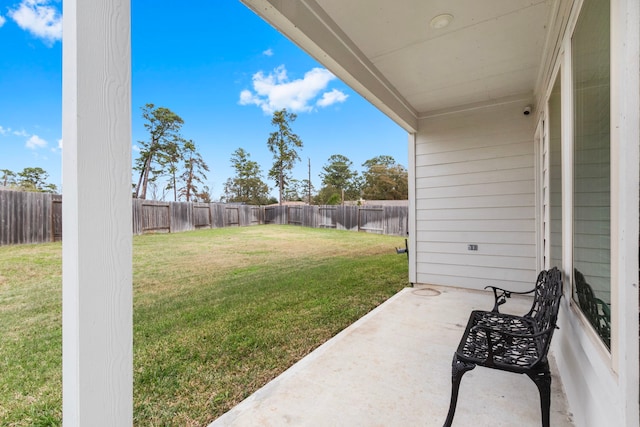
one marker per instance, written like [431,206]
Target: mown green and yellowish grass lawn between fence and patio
[217,314]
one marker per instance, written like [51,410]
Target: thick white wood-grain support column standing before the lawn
[97,311]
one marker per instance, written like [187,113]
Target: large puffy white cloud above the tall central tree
[274,91]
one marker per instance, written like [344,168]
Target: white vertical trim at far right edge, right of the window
[625,175]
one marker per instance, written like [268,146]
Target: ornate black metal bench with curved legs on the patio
[510,343]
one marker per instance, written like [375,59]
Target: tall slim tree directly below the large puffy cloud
[283,143]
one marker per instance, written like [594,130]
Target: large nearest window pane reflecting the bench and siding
[590,51]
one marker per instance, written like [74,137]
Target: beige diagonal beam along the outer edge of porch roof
[306,24]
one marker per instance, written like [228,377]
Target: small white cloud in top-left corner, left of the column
[39,18]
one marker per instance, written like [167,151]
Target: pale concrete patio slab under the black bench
[393,368]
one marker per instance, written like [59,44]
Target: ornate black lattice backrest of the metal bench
[546,304]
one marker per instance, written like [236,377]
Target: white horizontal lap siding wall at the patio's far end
[475,184]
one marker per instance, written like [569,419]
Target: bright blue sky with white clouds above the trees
[214,63]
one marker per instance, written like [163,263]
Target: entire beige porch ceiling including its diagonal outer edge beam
[387,50]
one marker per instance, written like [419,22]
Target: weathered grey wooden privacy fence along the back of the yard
[37,217]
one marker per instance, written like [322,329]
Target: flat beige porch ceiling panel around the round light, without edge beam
[491,49]
